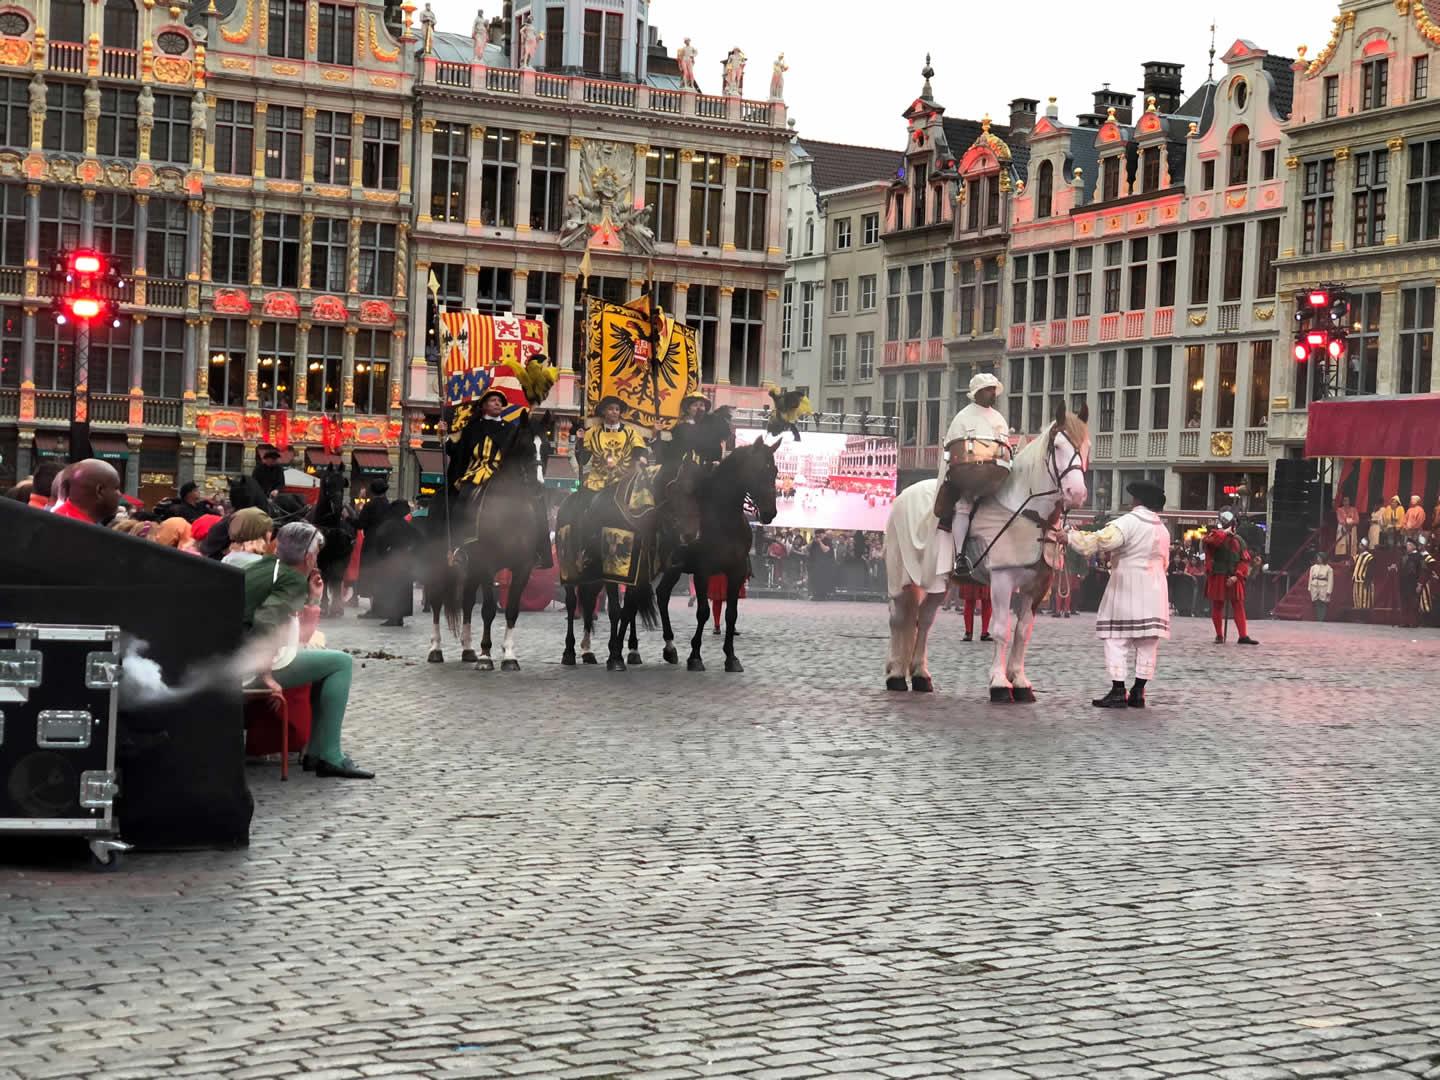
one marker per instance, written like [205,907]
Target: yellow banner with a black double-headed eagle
[618,362]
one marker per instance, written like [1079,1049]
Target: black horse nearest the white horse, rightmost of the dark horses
[724,545]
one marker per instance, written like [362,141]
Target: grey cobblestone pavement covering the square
[790,873]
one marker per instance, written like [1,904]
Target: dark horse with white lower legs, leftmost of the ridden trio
[492,529]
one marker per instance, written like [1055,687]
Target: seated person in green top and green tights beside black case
[277,590]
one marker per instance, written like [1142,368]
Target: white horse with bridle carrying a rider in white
[1025,549]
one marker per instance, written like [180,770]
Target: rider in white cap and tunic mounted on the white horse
[976,463]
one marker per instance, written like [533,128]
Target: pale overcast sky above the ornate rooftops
[855,67]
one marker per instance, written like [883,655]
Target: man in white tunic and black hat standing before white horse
[1135,610]
